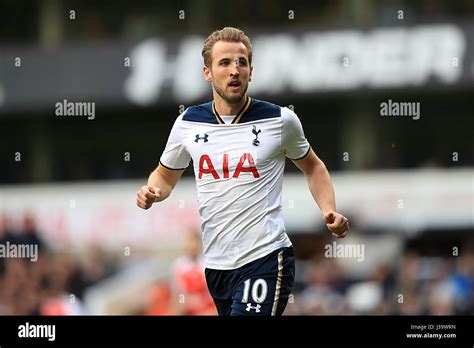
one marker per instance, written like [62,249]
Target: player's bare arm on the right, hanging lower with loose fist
[321,188]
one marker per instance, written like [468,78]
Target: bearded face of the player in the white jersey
[230,71]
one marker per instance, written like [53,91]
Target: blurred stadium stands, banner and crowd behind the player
[68,183]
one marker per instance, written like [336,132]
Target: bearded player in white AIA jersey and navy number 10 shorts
[238,147]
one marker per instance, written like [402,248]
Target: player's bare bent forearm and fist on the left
[160,184]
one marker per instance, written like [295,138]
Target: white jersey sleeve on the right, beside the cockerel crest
[294,144]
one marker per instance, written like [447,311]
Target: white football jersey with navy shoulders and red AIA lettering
[239,172]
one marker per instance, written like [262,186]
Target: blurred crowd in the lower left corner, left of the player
[53,283]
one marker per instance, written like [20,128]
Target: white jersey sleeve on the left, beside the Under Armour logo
[175,156]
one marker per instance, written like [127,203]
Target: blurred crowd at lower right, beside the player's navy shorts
[414,285]
